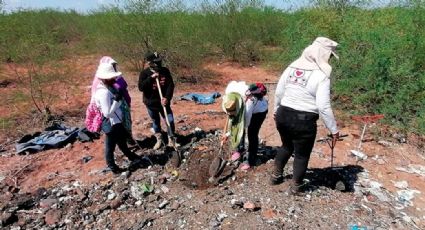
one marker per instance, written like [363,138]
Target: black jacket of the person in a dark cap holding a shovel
[148,86]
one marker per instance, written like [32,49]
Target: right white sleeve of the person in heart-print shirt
[323,104]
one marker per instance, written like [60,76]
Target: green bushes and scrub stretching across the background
[382,50]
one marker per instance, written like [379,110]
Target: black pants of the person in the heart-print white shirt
[297,131]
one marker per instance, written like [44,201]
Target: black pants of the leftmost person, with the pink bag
[117,136]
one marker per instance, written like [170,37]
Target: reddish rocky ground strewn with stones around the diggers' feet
[68,188]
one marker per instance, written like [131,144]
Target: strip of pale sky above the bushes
[87,5]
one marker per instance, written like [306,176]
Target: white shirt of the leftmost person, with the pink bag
[108,106]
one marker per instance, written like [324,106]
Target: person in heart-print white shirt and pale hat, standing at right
[302,93]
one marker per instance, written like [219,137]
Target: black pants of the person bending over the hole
[253,130]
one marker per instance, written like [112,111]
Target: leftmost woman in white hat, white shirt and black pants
[109,100]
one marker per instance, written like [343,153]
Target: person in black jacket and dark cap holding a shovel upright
[149,79]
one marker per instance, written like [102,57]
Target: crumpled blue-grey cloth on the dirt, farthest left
[55,136]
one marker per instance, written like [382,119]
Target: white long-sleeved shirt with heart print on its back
[306,90]
